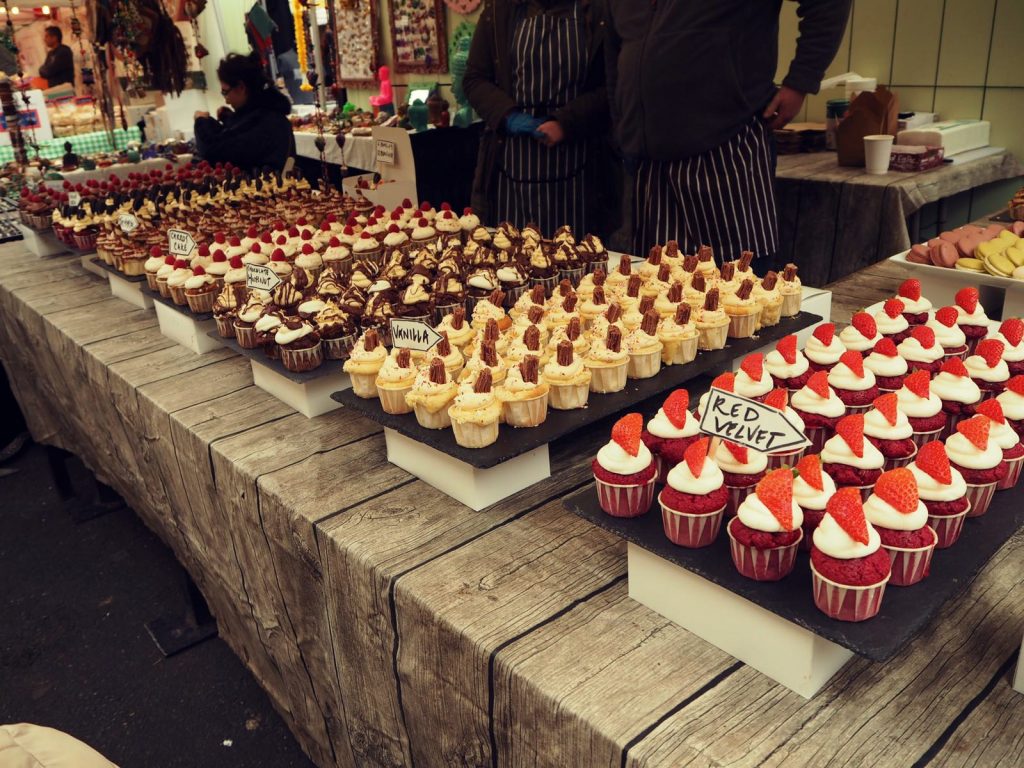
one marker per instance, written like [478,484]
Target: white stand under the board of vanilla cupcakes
[475,488]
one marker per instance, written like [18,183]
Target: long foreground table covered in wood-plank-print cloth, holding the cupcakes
[394,627]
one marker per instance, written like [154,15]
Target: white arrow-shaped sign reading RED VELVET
[750,423]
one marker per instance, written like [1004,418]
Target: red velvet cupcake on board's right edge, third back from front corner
[944,492]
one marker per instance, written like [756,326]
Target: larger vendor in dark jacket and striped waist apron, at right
[694,106]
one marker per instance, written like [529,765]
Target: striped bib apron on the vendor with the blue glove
[537,184]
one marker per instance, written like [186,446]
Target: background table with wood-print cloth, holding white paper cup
[834,222]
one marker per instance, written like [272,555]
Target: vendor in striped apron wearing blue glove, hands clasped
[536,77]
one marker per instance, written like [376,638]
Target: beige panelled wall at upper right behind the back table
[963,59]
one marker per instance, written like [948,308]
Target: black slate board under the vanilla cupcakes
[514,443]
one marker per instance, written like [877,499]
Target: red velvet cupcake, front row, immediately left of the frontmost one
[766,533]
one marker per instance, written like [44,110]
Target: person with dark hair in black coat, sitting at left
[253,132]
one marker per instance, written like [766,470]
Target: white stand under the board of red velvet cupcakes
[789,655]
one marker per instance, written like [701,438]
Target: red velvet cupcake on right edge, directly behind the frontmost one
[902,521]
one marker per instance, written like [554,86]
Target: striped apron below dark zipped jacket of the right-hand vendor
[724,198]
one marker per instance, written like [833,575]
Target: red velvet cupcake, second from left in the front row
[695,498]
